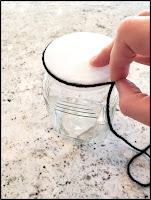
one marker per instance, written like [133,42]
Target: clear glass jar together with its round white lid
[77,109]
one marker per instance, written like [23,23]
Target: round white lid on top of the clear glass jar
[66,59]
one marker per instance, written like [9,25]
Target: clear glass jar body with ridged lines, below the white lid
[79,114]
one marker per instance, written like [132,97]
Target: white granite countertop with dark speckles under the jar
[37,163]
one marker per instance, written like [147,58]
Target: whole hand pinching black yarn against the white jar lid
[132,43]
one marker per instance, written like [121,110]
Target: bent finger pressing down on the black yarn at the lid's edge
[133,37]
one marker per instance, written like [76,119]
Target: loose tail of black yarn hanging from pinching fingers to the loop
[142,151]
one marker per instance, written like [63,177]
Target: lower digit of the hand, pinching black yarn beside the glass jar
[133,103]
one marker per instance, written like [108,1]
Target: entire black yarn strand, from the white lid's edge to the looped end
[142,151]
